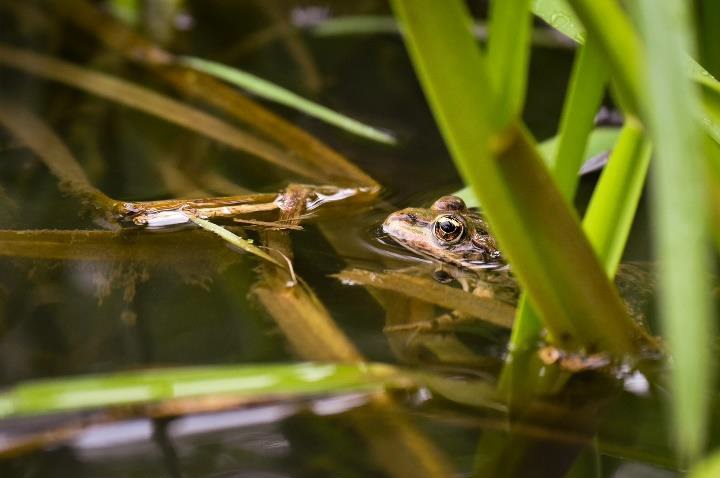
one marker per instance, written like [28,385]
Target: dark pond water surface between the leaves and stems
[64,318]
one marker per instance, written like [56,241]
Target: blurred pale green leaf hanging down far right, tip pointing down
[680,192]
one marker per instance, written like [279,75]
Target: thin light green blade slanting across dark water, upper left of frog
[273,92]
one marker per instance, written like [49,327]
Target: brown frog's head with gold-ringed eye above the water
[446,232]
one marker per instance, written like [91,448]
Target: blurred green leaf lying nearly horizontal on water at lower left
[126,388]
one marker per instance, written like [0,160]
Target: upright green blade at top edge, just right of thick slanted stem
[508,54]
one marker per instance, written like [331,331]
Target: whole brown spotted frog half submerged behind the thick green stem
[460,242]
